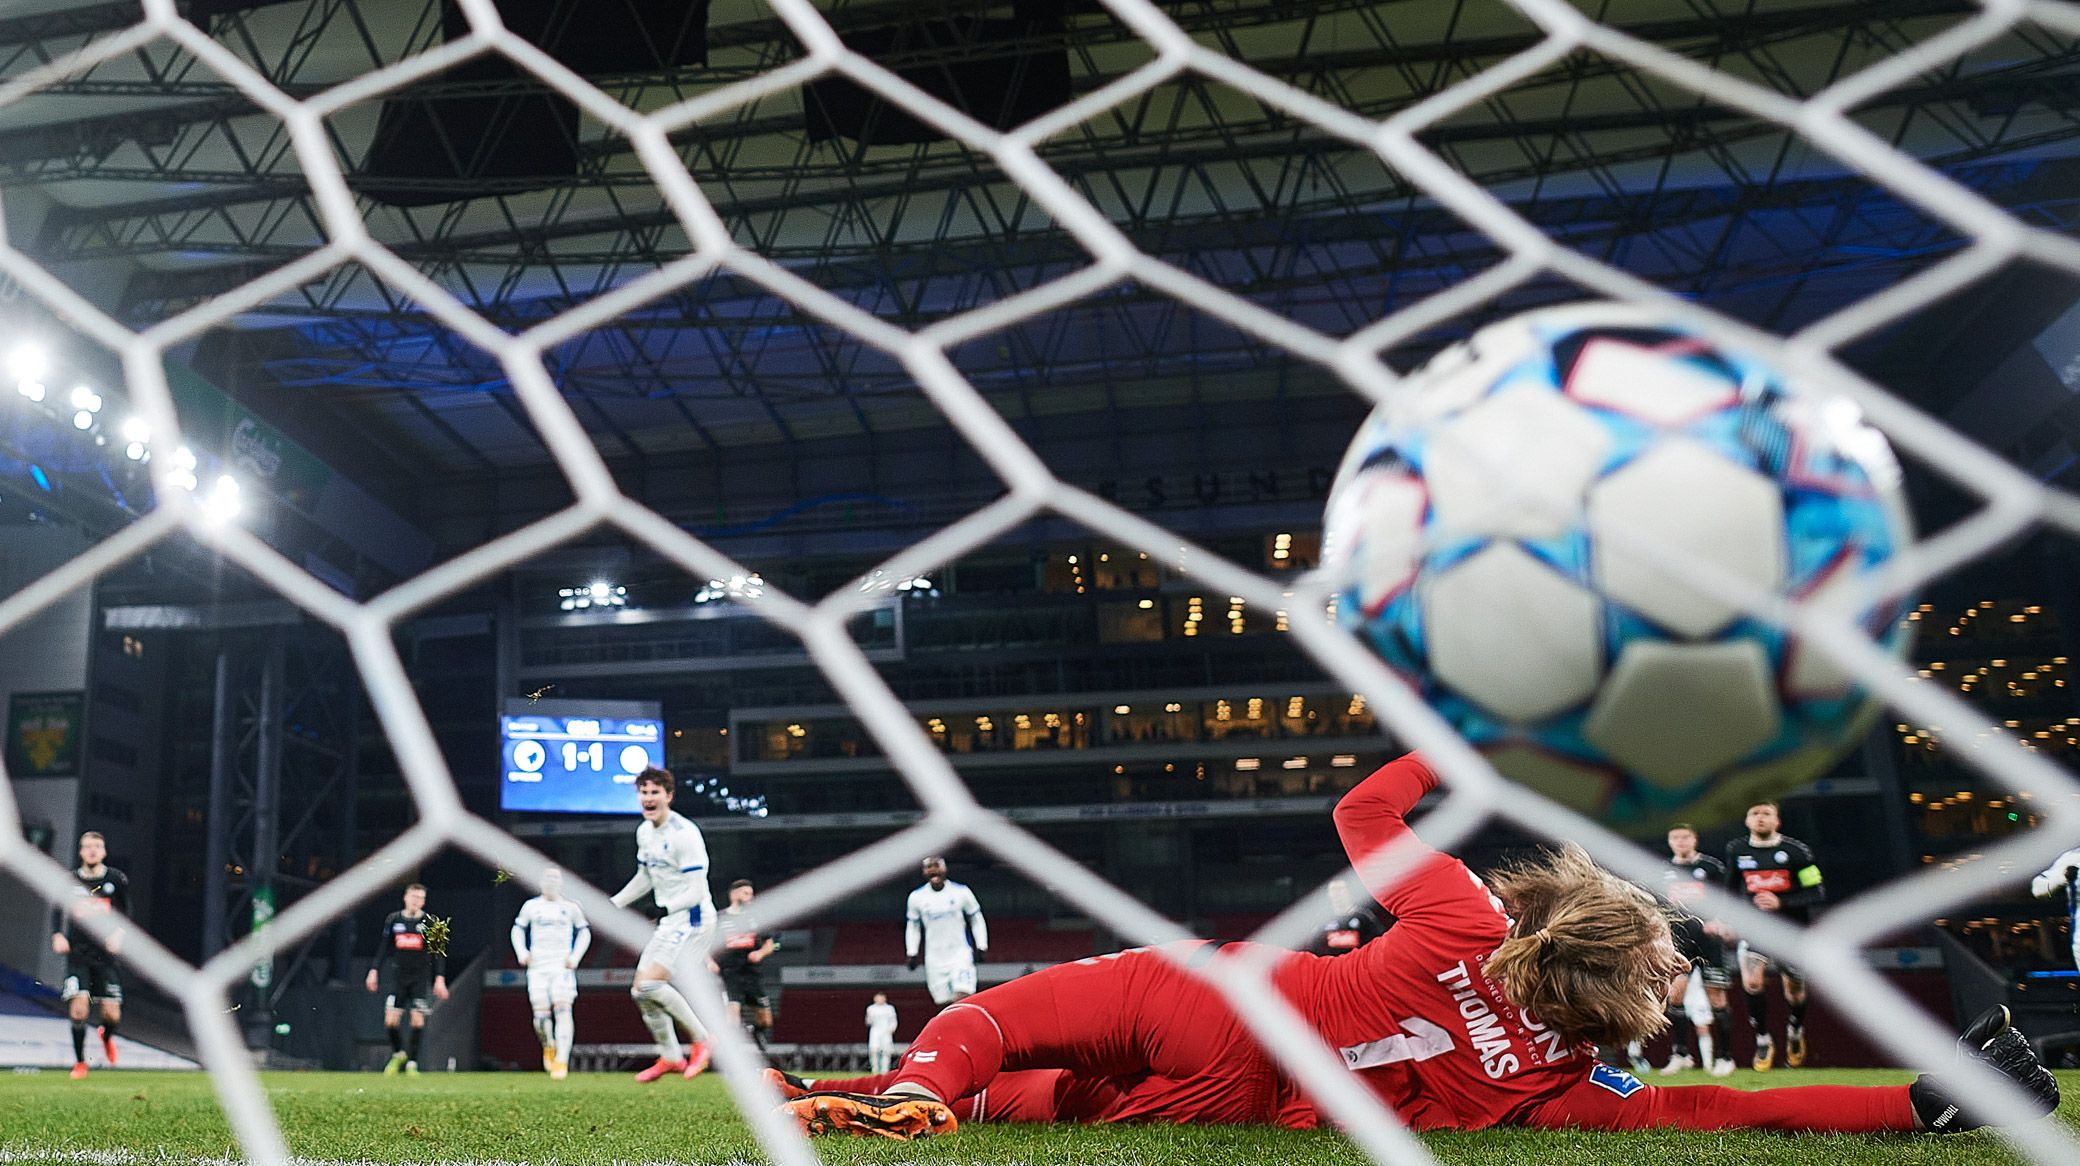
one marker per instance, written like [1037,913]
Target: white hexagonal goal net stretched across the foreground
[2010,504]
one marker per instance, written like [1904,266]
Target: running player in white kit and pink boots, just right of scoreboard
[671,868]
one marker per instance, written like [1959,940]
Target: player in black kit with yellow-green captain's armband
[1777,874]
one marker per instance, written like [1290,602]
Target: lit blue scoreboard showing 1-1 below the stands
[577,756]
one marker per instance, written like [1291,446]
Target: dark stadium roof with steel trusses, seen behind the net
[151,184]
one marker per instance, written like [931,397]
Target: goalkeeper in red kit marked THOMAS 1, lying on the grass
[1480,1009]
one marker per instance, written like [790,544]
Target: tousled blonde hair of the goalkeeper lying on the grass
[1588,953]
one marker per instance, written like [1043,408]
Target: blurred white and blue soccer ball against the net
[1474,537]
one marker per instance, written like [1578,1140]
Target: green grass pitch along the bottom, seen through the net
[120,1119]
